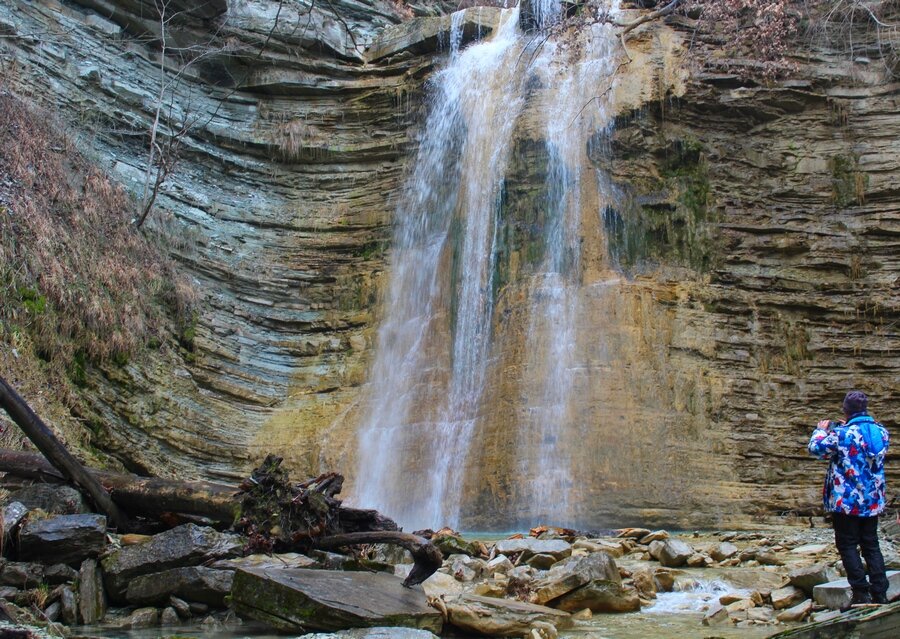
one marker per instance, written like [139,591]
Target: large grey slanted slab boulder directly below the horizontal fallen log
[180,547]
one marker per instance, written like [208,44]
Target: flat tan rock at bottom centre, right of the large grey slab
[501,617]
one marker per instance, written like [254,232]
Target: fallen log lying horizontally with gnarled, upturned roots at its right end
[272,513]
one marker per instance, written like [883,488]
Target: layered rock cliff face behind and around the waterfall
[745,277]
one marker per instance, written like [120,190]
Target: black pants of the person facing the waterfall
[851,532]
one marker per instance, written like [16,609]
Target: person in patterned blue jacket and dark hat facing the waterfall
[854,492]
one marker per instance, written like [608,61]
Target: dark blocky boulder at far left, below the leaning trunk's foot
[67,539]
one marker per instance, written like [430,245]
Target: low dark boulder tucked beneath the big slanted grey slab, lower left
[194,583]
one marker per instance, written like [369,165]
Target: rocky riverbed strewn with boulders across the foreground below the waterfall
[66,573]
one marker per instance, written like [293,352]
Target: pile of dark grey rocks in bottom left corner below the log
[65,567]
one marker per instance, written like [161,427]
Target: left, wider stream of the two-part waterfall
[426,388]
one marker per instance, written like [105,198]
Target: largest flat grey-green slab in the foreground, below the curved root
[303,599]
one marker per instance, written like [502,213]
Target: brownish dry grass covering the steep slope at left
[75,276]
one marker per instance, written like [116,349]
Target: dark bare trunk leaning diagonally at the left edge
[46,442]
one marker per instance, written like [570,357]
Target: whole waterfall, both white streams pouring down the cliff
[434,346]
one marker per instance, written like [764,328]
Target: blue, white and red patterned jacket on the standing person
[854,484]
